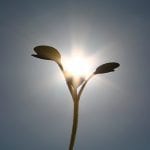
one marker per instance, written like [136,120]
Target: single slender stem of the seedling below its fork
[75,124]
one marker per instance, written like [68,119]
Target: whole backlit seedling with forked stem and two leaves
[73,82]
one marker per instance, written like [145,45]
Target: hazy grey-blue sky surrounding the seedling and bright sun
[35,105]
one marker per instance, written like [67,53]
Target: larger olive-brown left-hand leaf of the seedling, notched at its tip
[47,53]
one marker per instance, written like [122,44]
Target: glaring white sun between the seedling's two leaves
[77,64]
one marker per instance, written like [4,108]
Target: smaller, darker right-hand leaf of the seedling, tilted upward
[105,68]
